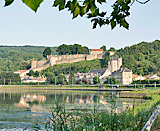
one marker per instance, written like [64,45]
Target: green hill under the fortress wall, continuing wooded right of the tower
[142,58]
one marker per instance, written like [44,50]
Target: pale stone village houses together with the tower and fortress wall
[123,75]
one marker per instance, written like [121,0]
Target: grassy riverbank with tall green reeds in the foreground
[133,118]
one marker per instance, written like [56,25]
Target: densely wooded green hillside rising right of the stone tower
[143,58]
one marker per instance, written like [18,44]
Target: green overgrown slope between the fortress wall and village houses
[70,68]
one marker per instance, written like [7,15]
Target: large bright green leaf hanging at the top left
[33,4]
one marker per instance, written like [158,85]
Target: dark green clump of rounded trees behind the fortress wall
[72,49]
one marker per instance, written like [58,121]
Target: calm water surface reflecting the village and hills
[21,110]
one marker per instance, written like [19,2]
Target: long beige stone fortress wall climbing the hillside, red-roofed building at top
[55,59]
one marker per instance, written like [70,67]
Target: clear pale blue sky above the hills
[19,25]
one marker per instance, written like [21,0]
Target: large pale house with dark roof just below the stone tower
[124,75]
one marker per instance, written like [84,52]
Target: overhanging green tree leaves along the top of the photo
[118,15]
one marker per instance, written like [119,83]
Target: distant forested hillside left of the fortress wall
[18,57]
